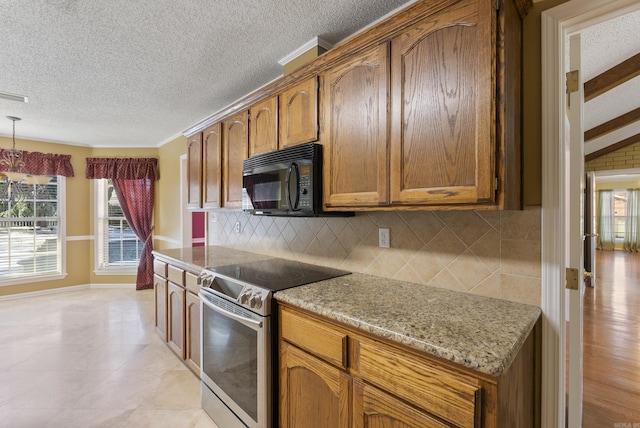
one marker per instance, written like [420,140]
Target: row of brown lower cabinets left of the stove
[178,311]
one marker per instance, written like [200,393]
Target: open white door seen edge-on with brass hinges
[575,231]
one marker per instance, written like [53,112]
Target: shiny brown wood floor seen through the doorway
[612,343]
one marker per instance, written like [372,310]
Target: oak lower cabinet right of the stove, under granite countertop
[333,375]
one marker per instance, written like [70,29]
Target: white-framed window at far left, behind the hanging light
[31,232]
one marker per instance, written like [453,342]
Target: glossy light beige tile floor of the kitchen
[91,358]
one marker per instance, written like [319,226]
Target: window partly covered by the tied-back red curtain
[117,246]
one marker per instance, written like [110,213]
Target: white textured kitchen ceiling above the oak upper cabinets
[136,73]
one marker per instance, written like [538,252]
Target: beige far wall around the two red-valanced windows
[79,216]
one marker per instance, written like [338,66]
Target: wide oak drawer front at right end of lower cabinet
[450,396]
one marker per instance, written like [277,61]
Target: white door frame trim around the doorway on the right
[557,23]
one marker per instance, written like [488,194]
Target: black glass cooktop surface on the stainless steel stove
[278,274]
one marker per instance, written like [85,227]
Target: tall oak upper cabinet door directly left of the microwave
[236,149]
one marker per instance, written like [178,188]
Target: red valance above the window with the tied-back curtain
[122,168]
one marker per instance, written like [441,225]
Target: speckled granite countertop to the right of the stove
[481,333]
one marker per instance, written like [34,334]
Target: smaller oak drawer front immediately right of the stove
[319,338]
